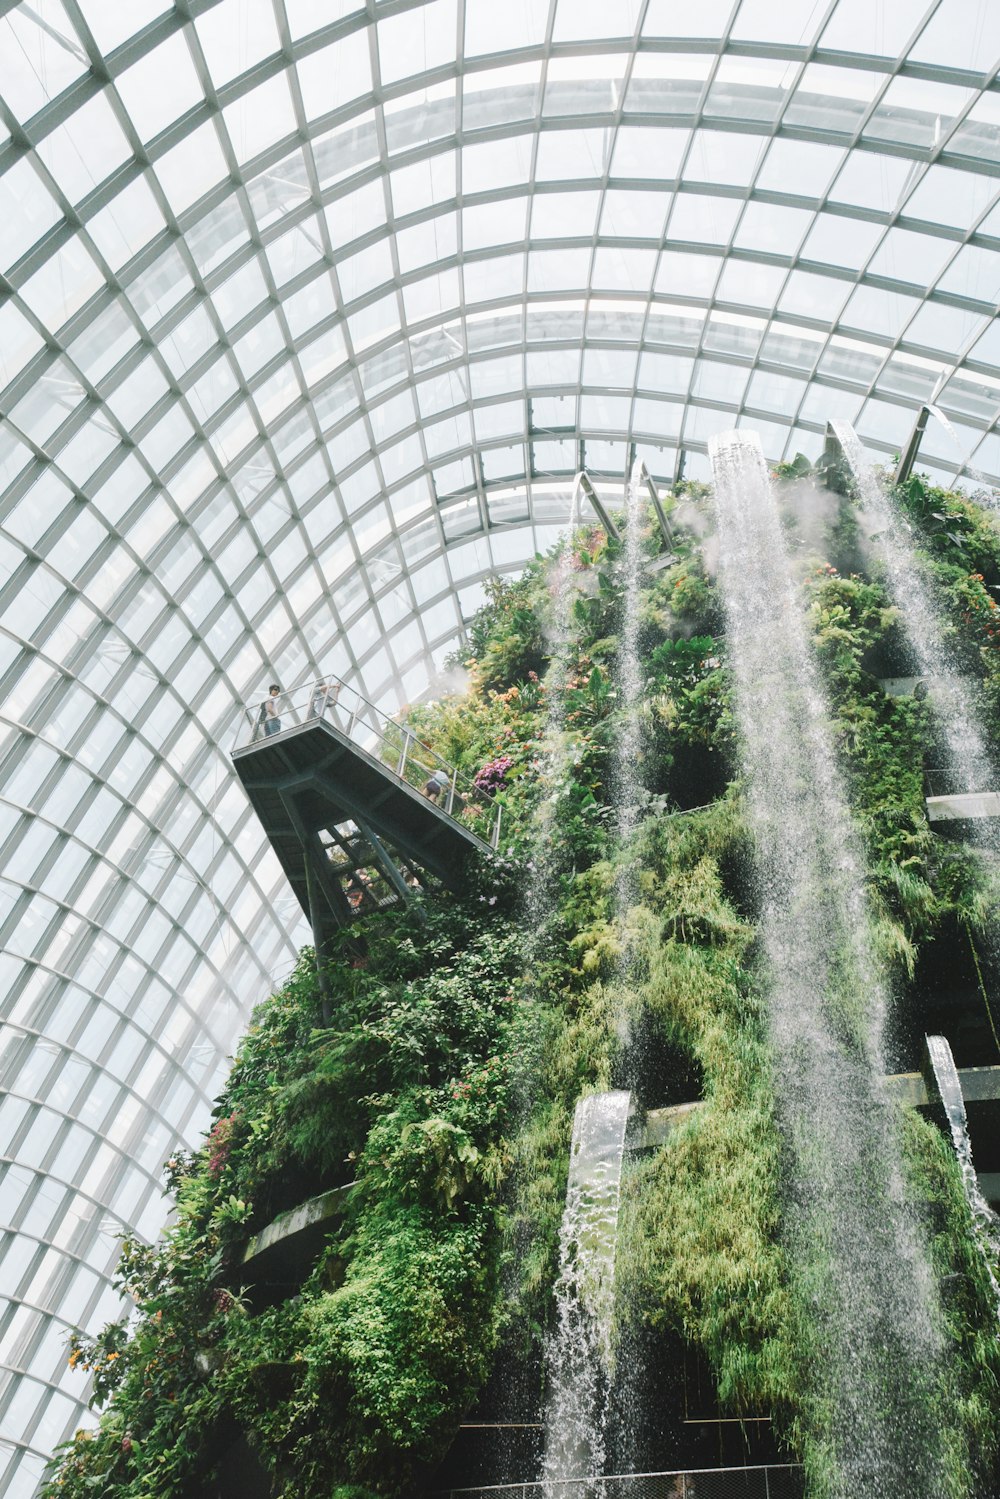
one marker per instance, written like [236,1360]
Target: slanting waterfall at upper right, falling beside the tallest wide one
[950,690]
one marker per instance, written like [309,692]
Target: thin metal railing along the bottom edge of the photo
[773,1482]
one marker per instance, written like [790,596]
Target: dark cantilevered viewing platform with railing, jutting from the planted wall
[355,804]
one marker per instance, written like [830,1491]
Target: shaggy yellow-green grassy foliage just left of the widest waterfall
[699,1251]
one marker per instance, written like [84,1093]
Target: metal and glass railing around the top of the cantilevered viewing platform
[397,747]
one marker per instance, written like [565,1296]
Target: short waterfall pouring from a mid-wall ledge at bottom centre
[579,1348]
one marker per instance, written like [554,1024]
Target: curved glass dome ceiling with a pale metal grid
[310,313]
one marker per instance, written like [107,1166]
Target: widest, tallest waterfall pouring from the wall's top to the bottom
[861,1275]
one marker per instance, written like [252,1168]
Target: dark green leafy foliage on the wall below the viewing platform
[406,1092]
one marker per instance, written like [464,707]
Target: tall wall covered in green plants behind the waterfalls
[440,1085]
